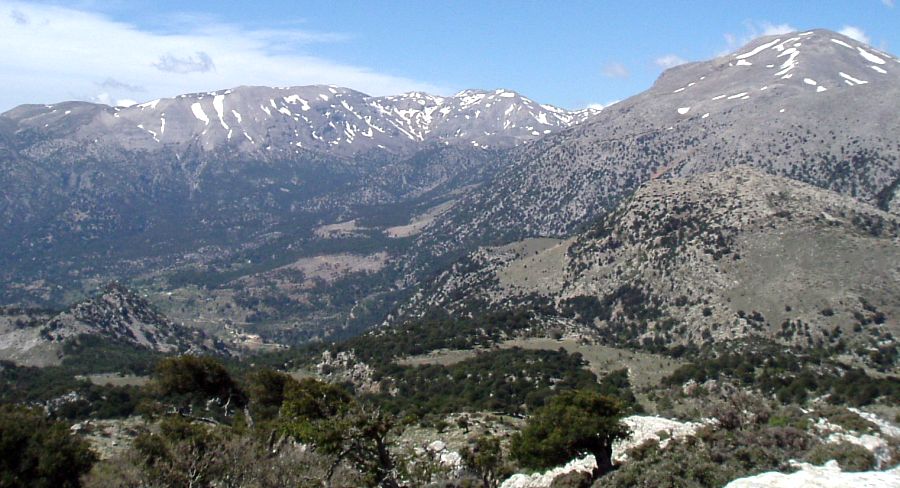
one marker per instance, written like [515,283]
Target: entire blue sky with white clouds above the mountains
[571,53]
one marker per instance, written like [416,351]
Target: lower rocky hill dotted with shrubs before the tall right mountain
[707,258]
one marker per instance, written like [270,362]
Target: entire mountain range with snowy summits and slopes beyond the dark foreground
[315,212]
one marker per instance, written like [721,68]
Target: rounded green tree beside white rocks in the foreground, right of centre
[572,424]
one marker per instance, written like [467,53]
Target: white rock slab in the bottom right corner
[828,476]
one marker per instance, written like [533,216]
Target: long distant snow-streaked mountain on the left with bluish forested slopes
[210,174]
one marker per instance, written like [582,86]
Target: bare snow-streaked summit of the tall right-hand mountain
[773,69]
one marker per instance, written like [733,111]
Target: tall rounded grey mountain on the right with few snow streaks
[815,106]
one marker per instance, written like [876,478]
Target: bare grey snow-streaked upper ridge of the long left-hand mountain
[320,118]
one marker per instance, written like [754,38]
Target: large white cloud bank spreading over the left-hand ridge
[52,53]
